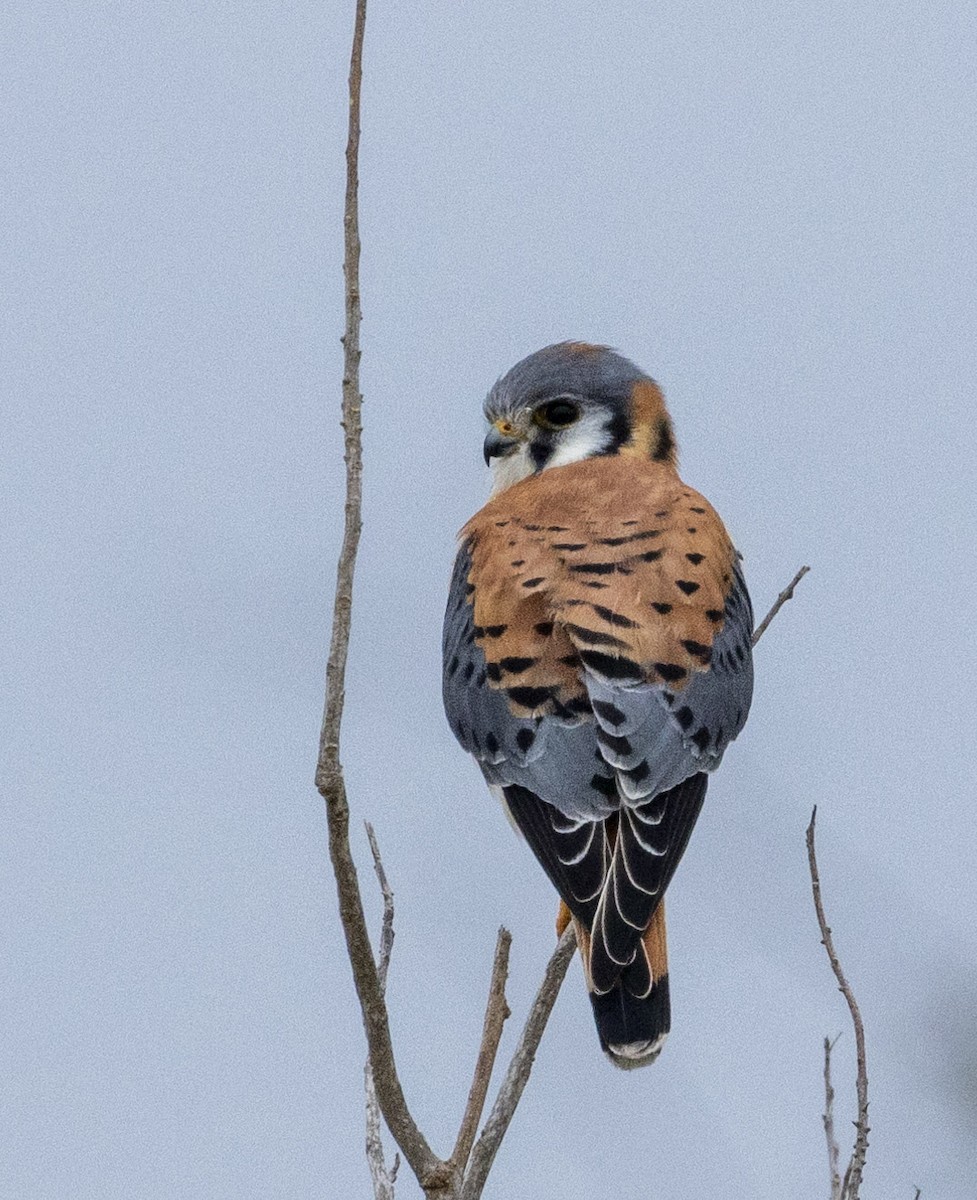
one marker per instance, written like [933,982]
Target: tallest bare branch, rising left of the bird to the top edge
[329,776]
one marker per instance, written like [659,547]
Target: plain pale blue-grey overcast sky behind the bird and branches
[771,208]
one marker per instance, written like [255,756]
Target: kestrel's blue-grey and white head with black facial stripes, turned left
[568,403]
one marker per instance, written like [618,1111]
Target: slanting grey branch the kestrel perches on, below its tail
[518,1075]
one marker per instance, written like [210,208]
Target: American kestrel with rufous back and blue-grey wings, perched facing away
[598,659]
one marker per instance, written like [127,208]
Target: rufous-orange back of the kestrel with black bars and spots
[612,565]
